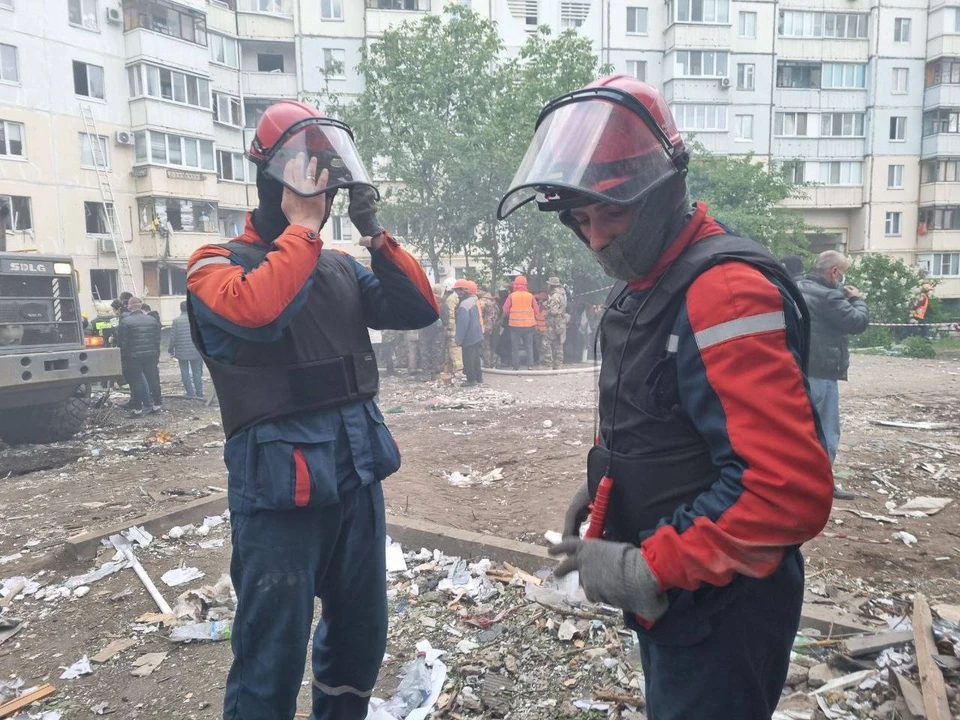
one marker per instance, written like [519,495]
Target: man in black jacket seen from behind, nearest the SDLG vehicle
[138,336]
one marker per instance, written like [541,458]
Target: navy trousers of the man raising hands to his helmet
[282,560]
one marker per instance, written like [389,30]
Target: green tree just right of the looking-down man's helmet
[745,195]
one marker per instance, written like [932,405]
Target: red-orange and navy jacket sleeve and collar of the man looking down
[741,384]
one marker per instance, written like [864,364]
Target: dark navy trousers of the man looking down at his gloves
[738,670]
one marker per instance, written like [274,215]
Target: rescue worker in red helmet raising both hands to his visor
[281,322]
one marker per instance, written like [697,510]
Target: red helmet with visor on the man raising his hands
[290,128]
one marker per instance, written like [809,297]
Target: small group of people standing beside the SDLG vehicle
[134,327]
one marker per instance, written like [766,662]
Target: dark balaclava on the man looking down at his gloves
[659,220]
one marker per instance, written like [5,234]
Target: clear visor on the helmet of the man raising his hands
[324,140]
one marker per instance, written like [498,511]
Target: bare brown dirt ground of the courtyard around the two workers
[536,430]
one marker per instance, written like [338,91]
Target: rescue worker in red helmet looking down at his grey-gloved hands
[709,451]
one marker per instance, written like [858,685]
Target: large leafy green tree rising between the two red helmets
[446,117]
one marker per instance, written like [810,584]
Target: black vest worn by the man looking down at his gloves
[659,461]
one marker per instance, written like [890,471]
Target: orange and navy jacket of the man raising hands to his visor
[325,452]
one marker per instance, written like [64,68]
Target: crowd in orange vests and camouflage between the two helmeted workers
[478,329]
